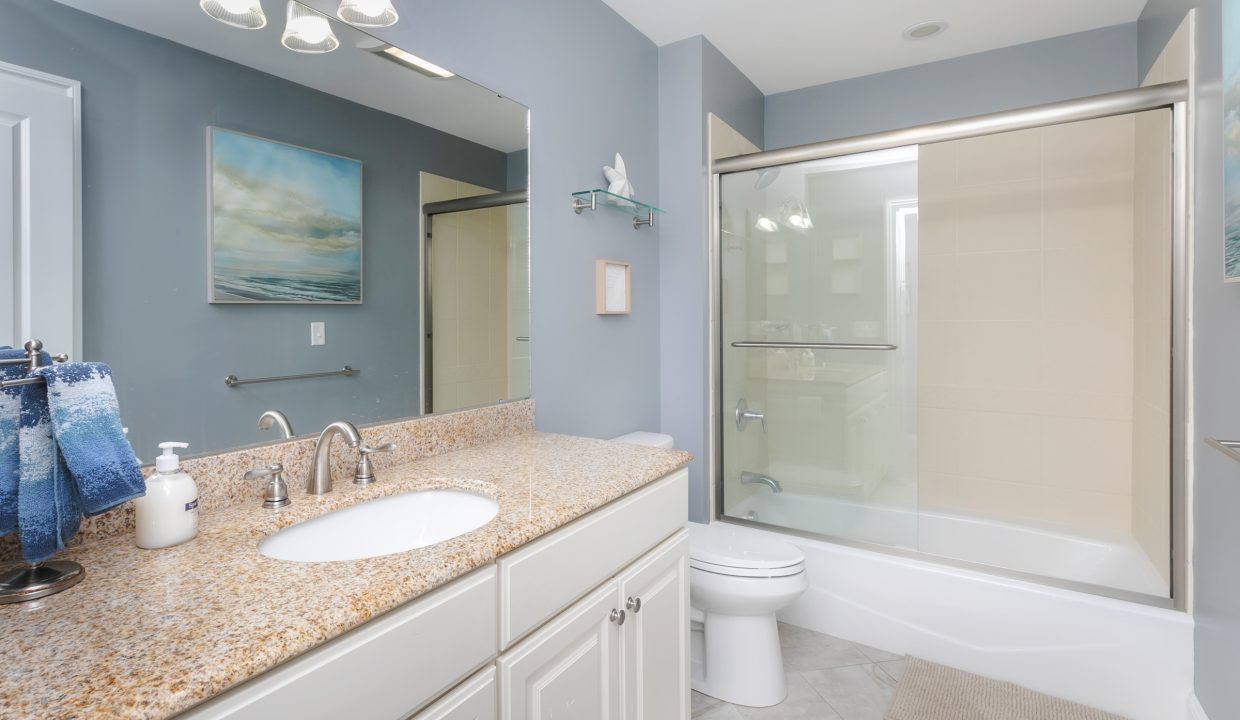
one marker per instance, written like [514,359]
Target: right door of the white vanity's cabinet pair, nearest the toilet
[655,593]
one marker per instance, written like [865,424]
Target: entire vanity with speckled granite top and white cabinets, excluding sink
[577,593]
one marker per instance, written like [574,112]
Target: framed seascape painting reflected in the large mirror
[286,222]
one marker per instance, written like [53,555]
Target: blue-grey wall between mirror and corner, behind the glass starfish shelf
[591,82]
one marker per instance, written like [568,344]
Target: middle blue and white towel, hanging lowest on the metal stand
[49,507]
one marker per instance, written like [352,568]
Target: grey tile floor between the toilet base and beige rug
[828,680]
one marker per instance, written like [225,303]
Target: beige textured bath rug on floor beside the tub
[933,692]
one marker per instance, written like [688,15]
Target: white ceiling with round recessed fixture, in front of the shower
[784,45]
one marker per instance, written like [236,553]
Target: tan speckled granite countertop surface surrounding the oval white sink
[154,633]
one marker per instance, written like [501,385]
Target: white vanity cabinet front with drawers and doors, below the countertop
[593,615]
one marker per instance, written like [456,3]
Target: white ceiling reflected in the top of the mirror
[453,106]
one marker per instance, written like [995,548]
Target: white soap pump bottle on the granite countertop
[168,515]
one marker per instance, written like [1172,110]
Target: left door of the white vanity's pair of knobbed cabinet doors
[569,670]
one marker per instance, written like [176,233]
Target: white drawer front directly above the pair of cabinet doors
[547,576]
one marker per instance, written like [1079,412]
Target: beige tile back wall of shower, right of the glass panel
[1026,322]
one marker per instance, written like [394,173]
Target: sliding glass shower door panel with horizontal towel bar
[818,302]
